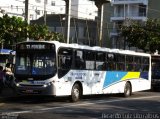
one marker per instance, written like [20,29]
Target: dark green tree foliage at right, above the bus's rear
[145,36]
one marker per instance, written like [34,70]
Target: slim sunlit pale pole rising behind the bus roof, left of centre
[68,17]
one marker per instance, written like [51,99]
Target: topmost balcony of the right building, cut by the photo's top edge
[118,2]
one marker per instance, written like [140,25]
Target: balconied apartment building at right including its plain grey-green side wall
[123,12]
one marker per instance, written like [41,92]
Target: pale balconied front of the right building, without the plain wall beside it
[125,11]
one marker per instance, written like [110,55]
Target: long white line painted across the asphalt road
[82,104]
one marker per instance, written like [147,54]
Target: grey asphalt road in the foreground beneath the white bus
[141,105]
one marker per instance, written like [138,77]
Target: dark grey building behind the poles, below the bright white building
[82,31]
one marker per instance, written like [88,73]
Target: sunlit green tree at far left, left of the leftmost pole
[12,30]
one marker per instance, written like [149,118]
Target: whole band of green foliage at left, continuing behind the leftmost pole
[14,30]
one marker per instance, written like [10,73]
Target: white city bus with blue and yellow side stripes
[72,70]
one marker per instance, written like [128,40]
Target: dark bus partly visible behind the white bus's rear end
[155,82]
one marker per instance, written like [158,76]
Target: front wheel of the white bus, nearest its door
[76,93]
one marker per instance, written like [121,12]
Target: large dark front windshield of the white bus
[35,64]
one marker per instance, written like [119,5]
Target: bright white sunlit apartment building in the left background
[84,9]
